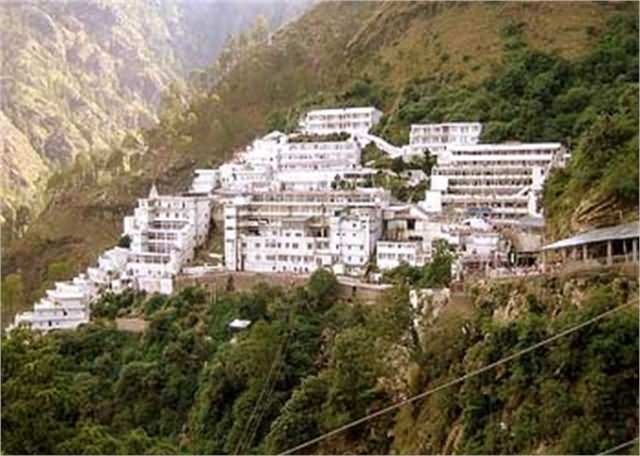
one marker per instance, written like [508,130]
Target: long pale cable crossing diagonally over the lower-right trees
[453,382]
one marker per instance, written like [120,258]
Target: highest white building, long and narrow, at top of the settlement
[349,120]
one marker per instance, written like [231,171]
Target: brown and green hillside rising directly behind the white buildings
[529,71]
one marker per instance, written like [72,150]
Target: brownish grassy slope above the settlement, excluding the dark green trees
[322,53]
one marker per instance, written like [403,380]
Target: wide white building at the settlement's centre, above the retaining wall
[301,231]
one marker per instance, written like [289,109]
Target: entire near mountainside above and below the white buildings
[311,360]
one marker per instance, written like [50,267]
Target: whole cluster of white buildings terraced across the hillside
[294,203]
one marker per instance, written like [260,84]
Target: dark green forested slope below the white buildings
[311,362]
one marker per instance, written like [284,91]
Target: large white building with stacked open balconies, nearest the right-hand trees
[501,182]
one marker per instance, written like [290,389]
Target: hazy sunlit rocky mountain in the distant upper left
[77,76]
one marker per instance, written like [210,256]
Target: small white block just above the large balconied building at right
[437,137]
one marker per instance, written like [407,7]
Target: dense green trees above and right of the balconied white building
[590,105]
